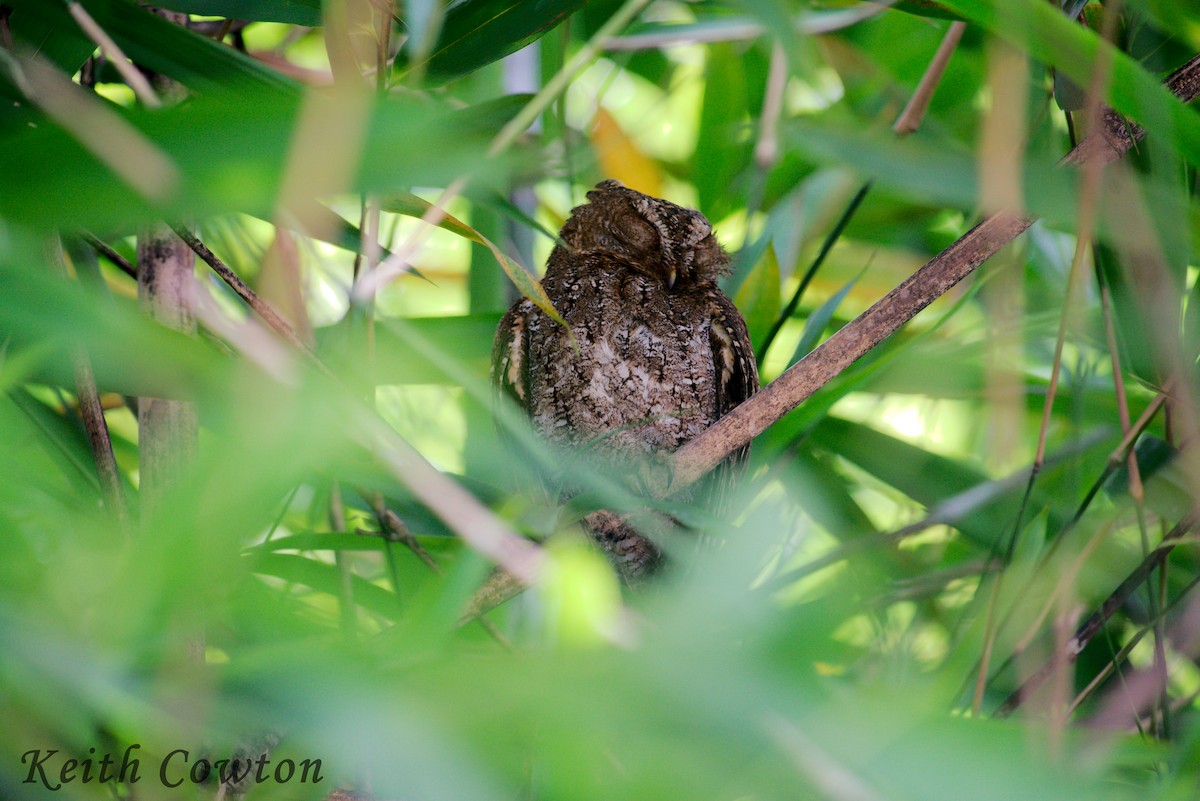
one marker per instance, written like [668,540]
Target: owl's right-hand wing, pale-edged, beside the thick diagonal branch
[736,378]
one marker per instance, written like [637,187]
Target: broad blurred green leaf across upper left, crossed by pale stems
[231,150]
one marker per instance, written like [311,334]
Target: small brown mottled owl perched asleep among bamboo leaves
[659,353]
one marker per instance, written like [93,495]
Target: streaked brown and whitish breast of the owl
[641,380]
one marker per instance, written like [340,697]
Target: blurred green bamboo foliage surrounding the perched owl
[829,646]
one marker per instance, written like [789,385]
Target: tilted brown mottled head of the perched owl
[652,236]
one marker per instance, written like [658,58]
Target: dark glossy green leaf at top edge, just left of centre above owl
[477,33]
